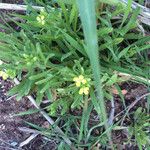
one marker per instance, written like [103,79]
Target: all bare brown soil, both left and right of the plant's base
[11,136]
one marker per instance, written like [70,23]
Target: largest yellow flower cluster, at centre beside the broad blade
[83,83]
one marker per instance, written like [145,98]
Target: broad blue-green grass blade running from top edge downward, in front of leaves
[88,18]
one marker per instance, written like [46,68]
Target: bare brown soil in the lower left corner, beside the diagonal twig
[10,135]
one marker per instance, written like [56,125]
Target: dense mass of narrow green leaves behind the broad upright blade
[44,56]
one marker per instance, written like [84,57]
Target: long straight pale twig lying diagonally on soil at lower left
[46,116]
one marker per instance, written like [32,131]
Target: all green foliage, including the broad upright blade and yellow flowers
[49,52]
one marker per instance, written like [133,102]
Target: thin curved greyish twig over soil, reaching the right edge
[132,105]
